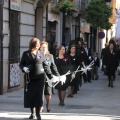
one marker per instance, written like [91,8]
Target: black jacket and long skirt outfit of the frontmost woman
[33,96]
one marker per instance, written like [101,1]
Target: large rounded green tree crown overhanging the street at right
[98,14]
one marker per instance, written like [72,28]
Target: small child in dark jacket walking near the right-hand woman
[96,65]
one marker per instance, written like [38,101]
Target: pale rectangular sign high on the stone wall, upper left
[15,5]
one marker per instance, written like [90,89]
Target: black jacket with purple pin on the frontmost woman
[37,64]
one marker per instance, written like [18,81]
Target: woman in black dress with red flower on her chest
[63,65]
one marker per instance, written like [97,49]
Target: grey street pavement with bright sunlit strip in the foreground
[94,101]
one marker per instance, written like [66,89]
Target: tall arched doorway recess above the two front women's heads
[41,18]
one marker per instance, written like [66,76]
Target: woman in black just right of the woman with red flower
[75,62]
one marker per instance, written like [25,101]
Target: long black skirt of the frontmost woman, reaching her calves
[34,96]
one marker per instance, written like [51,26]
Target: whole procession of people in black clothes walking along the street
[40,63]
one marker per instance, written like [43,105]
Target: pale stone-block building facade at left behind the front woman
[22,20]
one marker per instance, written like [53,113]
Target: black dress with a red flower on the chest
[63,66]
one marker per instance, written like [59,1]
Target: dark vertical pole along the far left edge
[1,46]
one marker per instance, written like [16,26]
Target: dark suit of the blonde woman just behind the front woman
[50,61]
